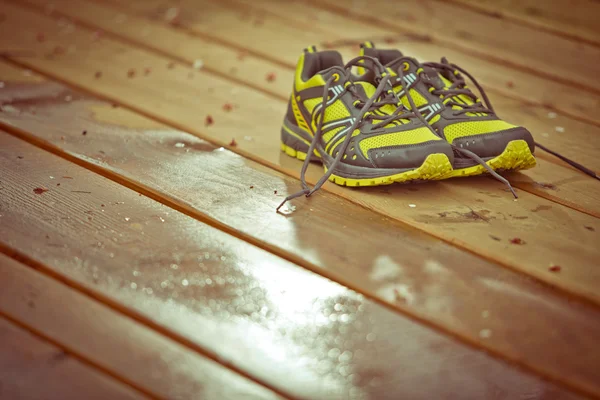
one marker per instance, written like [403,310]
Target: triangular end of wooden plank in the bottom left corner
[33,369]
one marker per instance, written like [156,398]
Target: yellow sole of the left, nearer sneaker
[435,167]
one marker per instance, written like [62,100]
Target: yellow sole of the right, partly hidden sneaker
[516,156]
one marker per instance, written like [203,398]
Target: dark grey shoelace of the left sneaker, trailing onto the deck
[369,109]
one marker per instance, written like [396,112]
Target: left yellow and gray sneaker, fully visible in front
[359,130]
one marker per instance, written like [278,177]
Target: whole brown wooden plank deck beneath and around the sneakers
[141,255]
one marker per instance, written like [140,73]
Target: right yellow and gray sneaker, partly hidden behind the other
[470,125]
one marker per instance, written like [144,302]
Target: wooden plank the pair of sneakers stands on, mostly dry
[573,246]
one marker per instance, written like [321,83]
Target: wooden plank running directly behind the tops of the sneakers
[497,78]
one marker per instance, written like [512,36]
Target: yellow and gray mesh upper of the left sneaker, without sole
[387,137]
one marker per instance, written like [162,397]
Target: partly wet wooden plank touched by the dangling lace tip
[409,277]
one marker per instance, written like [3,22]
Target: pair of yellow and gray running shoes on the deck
[395,120]
